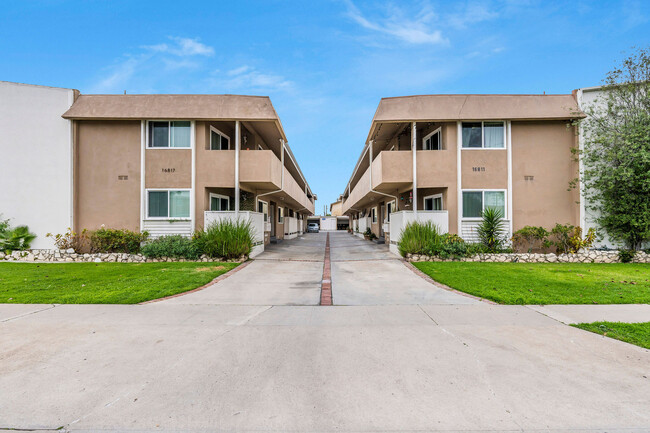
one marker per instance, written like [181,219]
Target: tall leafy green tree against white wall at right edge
[616,154]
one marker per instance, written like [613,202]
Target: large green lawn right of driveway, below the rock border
[546,283]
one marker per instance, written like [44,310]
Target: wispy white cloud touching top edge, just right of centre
[397,24]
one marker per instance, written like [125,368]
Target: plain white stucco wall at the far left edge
[36,159]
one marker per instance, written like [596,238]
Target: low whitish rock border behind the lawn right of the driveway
[591,256]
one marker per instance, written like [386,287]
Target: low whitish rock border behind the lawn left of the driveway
[57,256]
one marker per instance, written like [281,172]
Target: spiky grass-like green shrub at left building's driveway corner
[226,239]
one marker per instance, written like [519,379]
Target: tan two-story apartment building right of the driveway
[445,158]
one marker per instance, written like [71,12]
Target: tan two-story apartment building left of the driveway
[170,164]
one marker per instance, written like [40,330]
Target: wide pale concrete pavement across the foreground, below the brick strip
[168,367]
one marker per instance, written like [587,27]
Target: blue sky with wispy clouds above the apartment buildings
[325,64]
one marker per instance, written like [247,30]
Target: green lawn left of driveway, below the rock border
[102,283]
